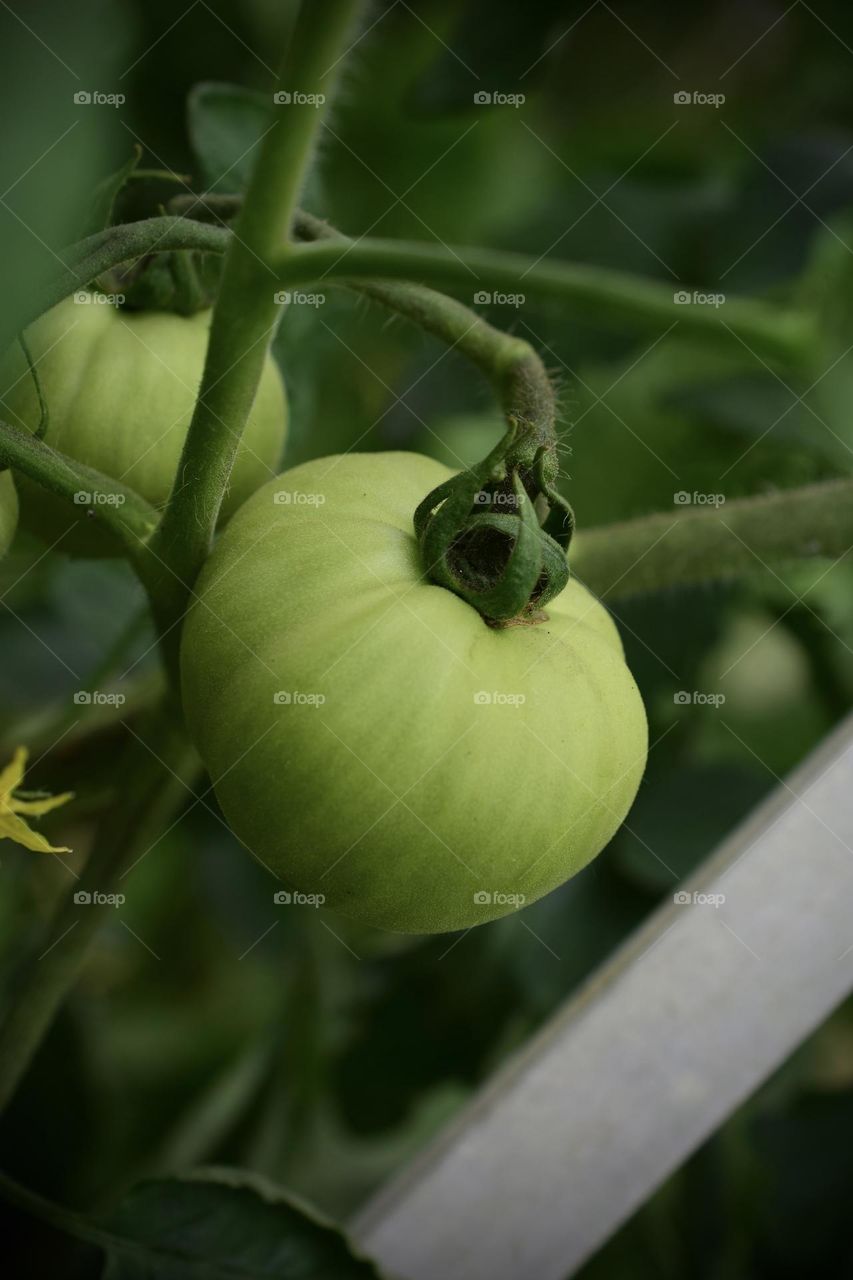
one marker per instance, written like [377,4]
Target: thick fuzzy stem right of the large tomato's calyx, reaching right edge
[691,545]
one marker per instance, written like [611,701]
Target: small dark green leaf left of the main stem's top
[226,122]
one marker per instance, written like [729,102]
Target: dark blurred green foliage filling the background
[215,1030]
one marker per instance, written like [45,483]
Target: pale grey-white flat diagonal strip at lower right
[664,1044]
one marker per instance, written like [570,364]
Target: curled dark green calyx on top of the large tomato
[482,534]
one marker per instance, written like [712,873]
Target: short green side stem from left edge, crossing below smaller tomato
[118,508]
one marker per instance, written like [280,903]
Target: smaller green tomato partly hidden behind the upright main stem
[121,390]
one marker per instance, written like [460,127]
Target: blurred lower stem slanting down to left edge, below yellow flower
[161,765]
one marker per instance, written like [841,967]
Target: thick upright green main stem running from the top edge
[247,313]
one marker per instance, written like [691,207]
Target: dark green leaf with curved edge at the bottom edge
[225,1224]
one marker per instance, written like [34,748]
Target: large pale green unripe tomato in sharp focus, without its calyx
[371,739]
